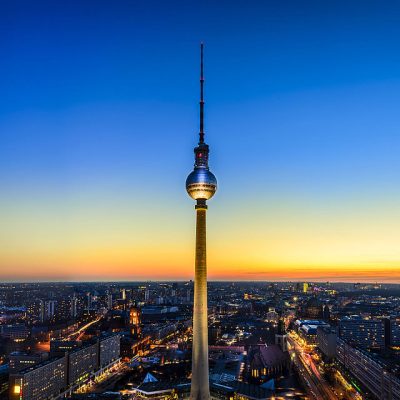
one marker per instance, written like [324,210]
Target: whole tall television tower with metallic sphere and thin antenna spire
[201,185]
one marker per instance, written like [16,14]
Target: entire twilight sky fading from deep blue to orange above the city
[99,117]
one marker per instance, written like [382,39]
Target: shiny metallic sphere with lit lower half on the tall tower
[201,184]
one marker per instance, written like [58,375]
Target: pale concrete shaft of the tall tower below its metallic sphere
[200,383]
